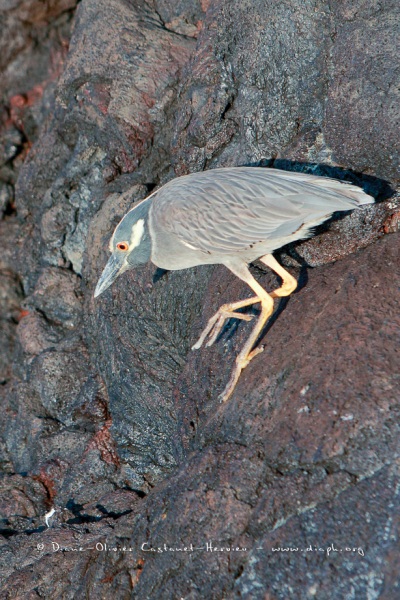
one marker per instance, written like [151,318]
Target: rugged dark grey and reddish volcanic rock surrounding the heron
[108,417]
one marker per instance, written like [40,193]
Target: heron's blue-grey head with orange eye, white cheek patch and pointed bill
[130,246]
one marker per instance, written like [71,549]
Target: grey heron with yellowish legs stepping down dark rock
[230,216]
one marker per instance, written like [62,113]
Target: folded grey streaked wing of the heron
[226,210]
